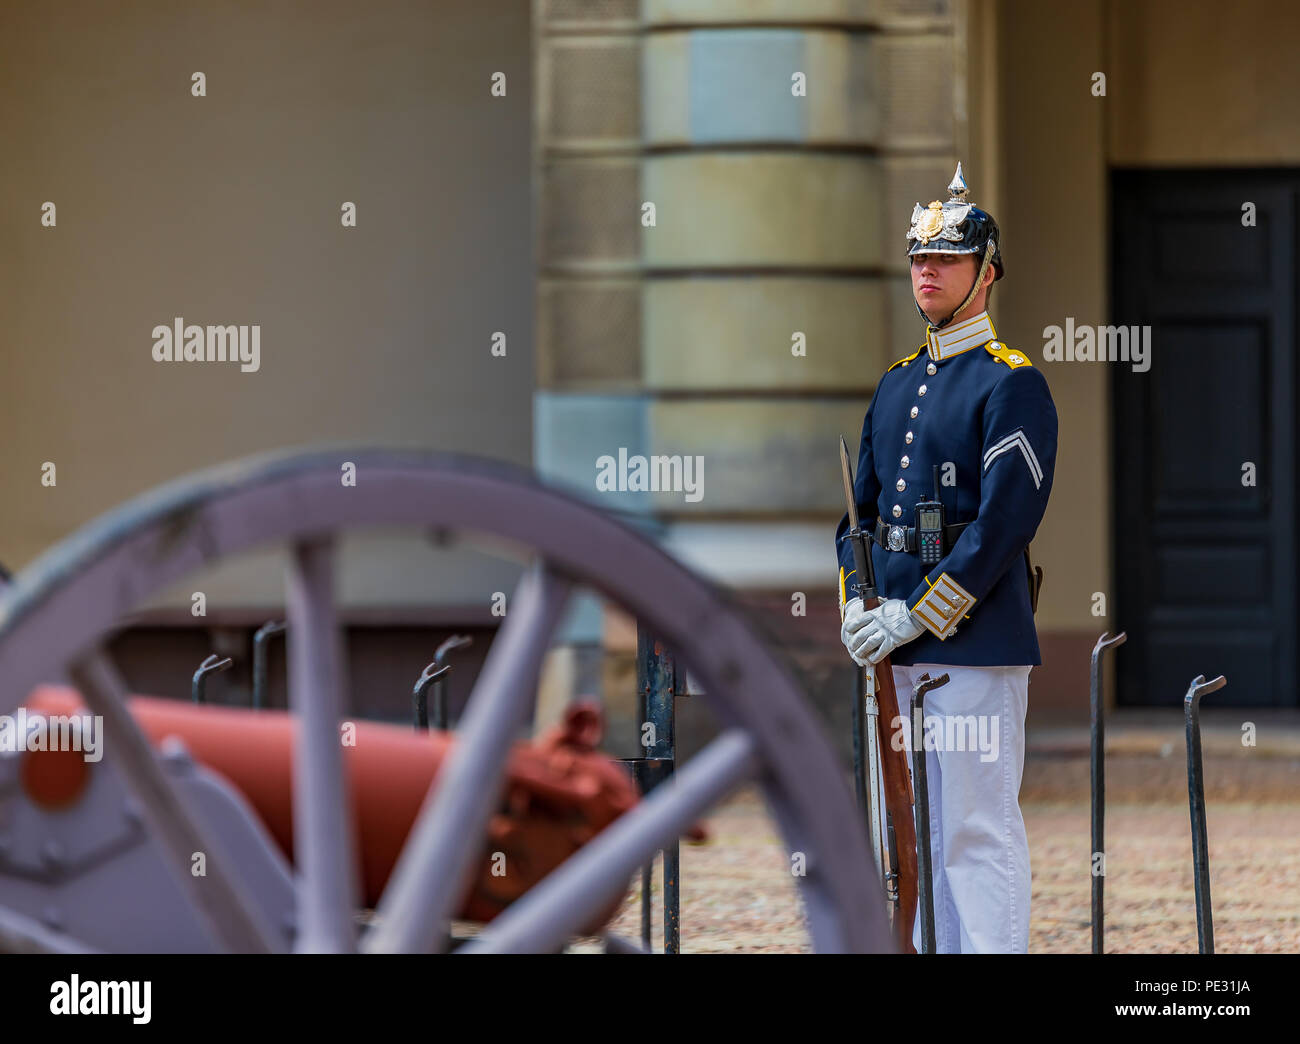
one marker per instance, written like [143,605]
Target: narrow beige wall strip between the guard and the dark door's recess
[1055,222]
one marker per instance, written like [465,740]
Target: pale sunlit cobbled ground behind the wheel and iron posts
[738,895]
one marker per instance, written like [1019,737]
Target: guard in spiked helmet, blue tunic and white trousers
[973,417]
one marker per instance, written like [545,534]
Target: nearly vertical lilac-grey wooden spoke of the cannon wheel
[324,848]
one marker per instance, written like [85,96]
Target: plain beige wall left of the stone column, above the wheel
[226,210]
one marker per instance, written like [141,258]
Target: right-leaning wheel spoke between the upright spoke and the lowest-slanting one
[444,844]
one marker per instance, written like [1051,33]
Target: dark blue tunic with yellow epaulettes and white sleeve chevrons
[986,417]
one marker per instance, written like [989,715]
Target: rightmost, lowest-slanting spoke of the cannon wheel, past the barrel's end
[556,911]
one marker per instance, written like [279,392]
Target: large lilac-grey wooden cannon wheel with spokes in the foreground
[64,605]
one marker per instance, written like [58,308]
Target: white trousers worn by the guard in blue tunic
[974,742]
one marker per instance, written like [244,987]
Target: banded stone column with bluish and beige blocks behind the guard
[723,189]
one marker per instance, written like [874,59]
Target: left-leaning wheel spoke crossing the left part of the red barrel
[231,919]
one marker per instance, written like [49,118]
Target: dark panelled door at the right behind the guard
[1206,562]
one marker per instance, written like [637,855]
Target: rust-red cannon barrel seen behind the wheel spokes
[560,792]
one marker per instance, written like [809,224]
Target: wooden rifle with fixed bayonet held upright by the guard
[891,761]
